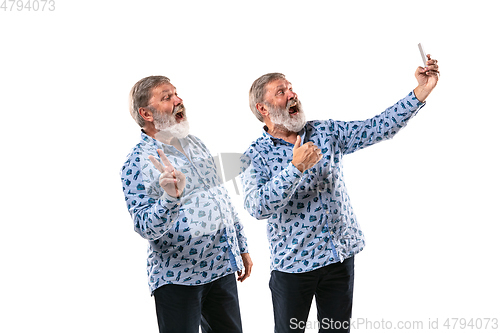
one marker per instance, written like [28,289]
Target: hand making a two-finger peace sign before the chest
[171,180]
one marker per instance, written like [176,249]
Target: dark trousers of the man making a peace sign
[214,306]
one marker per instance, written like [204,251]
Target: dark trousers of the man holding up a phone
[292,294]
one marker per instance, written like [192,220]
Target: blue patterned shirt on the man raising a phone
[311,222]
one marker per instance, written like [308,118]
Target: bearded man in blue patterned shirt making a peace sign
[178,203]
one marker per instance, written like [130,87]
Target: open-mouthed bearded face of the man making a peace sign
[169,112]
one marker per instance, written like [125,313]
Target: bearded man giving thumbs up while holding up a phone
[293,178]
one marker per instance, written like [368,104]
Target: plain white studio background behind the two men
[427,200]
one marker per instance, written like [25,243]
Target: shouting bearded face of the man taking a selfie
[285,109]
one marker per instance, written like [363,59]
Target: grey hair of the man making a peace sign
[141,94]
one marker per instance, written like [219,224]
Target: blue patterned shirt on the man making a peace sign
[194,239]
